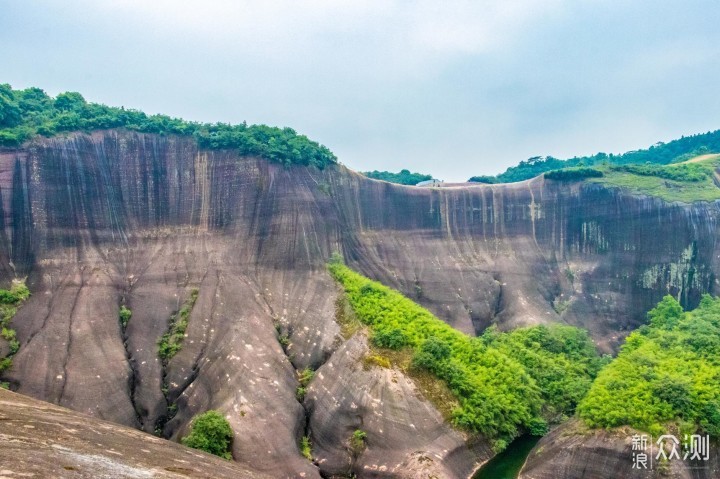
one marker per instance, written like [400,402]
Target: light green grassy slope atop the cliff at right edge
[685,182]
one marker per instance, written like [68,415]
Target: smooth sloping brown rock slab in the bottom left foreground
[40,440]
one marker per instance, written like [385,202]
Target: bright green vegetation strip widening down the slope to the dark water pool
[503,383]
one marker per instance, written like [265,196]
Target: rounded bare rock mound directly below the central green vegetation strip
[406,436]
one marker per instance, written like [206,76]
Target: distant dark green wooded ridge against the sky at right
[660,153]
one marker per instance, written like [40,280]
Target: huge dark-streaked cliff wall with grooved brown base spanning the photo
[95,221]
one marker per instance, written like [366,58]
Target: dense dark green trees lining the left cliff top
[30,112]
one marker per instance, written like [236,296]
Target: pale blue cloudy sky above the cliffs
[451,88]
